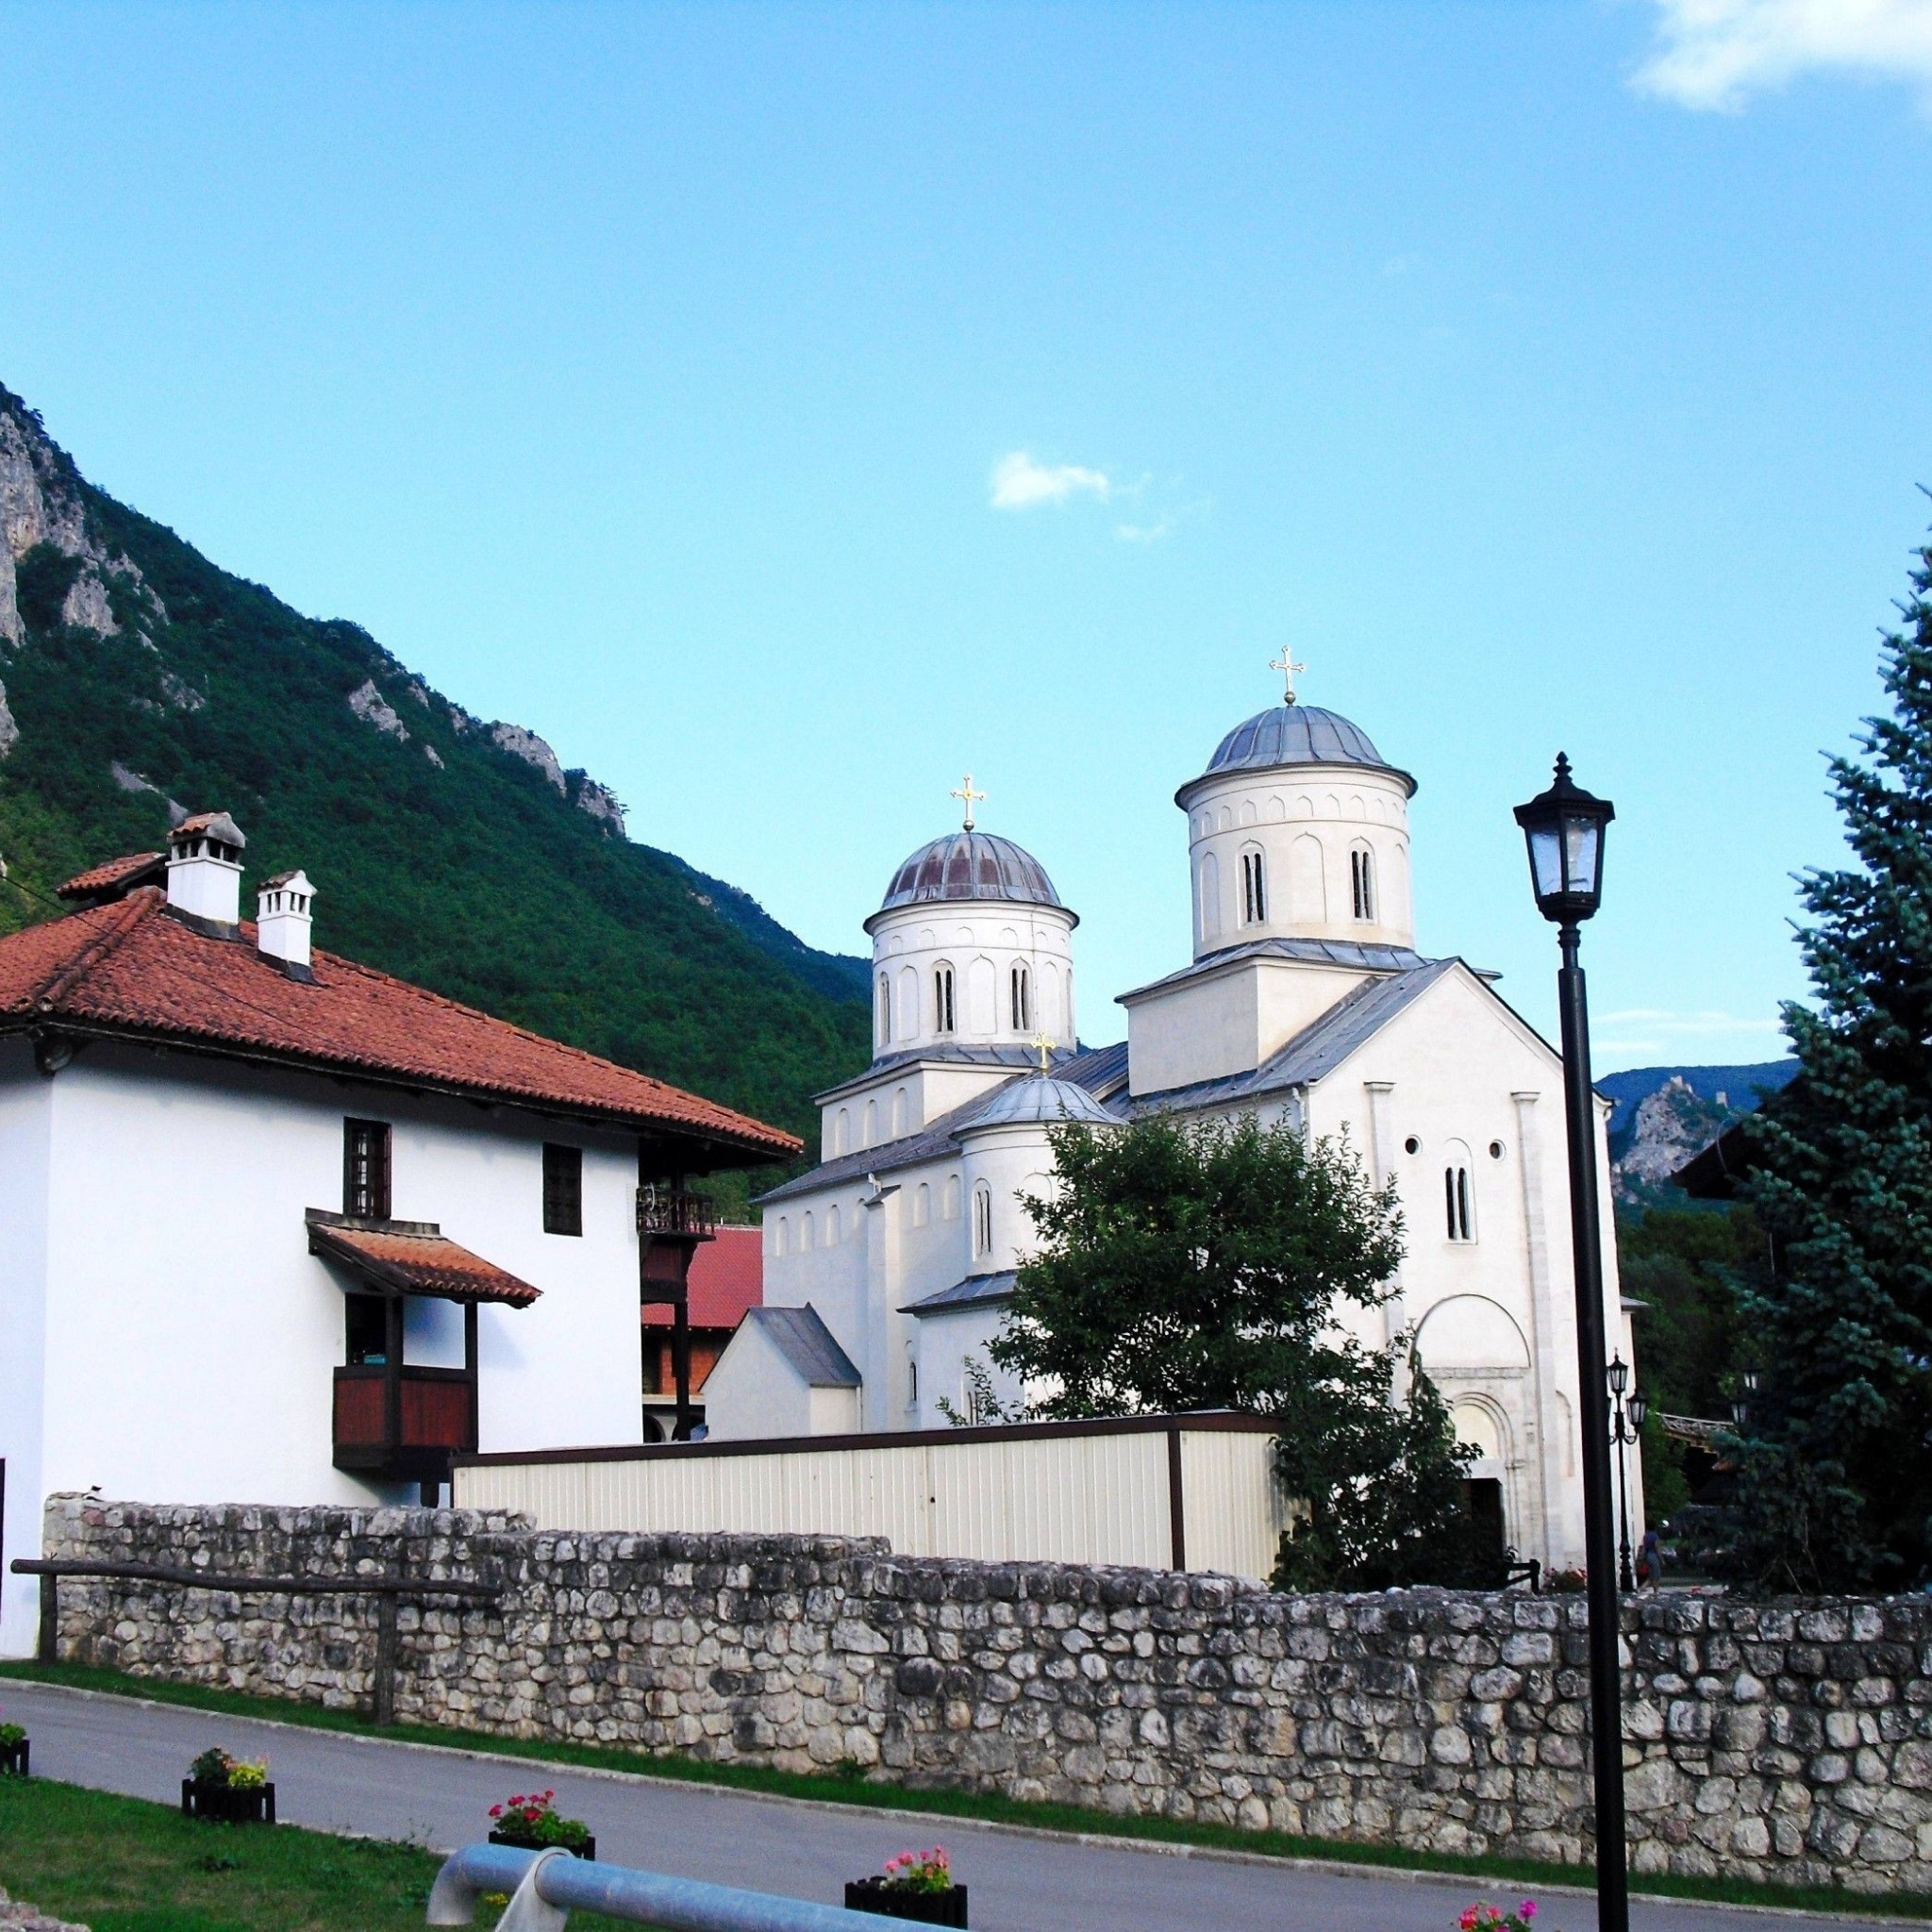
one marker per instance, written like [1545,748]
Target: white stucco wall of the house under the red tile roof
[190,1334]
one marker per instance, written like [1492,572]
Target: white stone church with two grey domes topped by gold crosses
[892,1264]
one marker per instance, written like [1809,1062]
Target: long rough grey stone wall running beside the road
[1784,1742]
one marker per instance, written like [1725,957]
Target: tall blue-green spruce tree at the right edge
[1836,1450]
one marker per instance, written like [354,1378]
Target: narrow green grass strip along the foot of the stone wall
[855,1788]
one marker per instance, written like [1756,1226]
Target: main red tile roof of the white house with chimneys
[136,971]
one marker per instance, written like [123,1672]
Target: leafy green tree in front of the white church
[1203,1266]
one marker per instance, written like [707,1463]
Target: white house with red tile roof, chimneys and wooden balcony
[279,1228]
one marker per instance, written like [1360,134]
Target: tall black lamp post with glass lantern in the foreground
[1564,830]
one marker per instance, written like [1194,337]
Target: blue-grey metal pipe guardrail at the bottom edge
[546,1887]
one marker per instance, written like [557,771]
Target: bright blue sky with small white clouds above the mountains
[791,409]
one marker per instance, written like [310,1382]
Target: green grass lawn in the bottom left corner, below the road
[125,1865]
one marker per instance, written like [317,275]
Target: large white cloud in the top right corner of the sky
[1717,53]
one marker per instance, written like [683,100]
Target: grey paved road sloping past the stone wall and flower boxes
[1021,1881]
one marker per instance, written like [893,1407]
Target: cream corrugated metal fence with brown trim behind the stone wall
[1160,1492]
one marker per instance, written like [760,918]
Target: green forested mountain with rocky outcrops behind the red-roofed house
[140,681]
